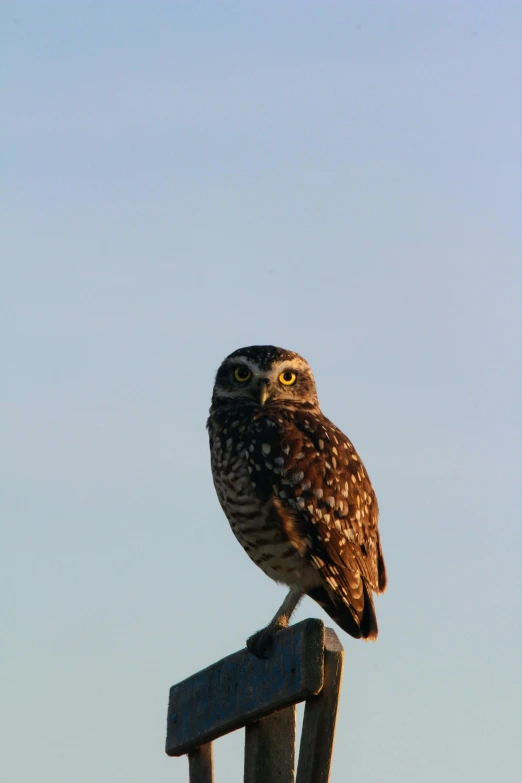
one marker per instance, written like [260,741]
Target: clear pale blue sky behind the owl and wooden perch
[181,179]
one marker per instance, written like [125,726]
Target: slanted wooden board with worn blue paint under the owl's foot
[241,688]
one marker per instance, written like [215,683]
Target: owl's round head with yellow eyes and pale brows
[264,375]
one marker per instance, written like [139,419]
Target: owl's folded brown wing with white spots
[327,506]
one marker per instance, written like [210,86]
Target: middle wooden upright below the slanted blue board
[270,748]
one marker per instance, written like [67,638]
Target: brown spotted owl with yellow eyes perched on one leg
[294,490]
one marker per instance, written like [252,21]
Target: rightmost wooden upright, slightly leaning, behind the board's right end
[317,737]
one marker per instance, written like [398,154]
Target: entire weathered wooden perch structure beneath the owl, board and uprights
[260,695]
